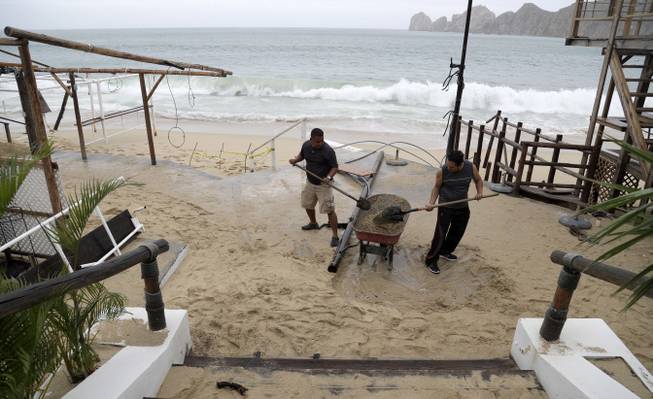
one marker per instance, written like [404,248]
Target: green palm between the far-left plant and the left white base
[79,310]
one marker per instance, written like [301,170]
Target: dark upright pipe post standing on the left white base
[154,305]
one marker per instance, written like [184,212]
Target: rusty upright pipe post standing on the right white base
[556,315]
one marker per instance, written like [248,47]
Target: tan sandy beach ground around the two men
[254,282]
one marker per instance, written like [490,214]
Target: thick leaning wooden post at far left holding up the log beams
[33,115]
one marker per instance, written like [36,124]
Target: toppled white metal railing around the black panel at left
[48,223]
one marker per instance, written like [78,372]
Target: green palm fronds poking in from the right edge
[628,229]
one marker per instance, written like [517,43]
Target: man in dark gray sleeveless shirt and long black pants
[451,184]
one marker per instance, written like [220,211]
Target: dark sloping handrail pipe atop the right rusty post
[596,269]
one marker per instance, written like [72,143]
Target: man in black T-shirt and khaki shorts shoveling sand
[321,160]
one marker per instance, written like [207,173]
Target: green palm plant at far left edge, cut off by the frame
[28,350]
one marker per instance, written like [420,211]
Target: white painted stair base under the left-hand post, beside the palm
[138,371]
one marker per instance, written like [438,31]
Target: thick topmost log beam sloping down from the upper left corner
[89,48]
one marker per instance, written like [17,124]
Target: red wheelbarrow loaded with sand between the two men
[379,238]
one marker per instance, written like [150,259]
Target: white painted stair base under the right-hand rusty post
[561,366]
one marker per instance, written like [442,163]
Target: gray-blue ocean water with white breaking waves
[368,80]
